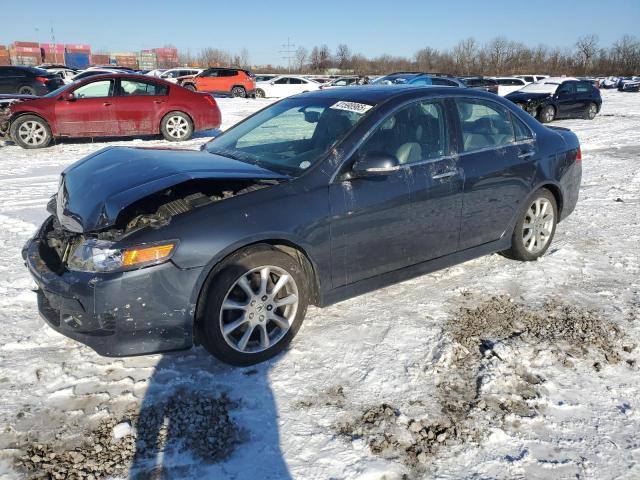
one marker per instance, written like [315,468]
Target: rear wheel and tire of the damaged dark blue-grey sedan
[535,229]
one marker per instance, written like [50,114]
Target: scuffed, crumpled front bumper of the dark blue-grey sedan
[117,314]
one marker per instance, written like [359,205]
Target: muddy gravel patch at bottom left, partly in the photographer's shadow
[186,422]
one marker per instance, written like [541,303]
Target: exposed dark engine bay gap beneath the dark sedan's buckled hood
[154,211]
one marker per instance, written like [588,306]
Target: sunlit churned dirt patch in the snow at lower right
[484,378]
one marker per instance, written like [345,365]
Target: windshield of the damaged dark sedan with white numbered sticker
[290,136]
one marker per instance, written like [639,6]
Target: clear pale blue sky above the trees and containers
[371,27]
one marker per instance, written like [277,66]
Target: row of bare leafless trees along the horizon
[499,56]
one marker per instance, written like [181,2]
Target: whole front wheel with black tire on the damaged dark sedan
[255,303]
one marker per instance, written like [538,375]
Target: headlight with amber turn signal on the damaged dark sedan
[101,256]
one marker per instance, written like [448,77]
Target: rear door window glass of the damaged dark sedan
[484,125]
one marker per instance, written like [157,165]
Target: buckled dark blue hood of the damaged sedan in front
[94,190]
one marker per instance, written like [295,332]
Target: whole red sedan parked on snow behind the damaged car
[109,105]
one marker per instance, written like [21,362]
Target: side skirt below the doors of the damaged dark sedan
[374,283]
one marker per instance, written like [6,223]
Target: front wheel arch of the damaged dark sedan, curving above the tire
[287,246]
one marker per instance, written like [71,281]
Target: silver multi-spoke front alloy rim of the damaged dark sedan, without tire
[259,308]
